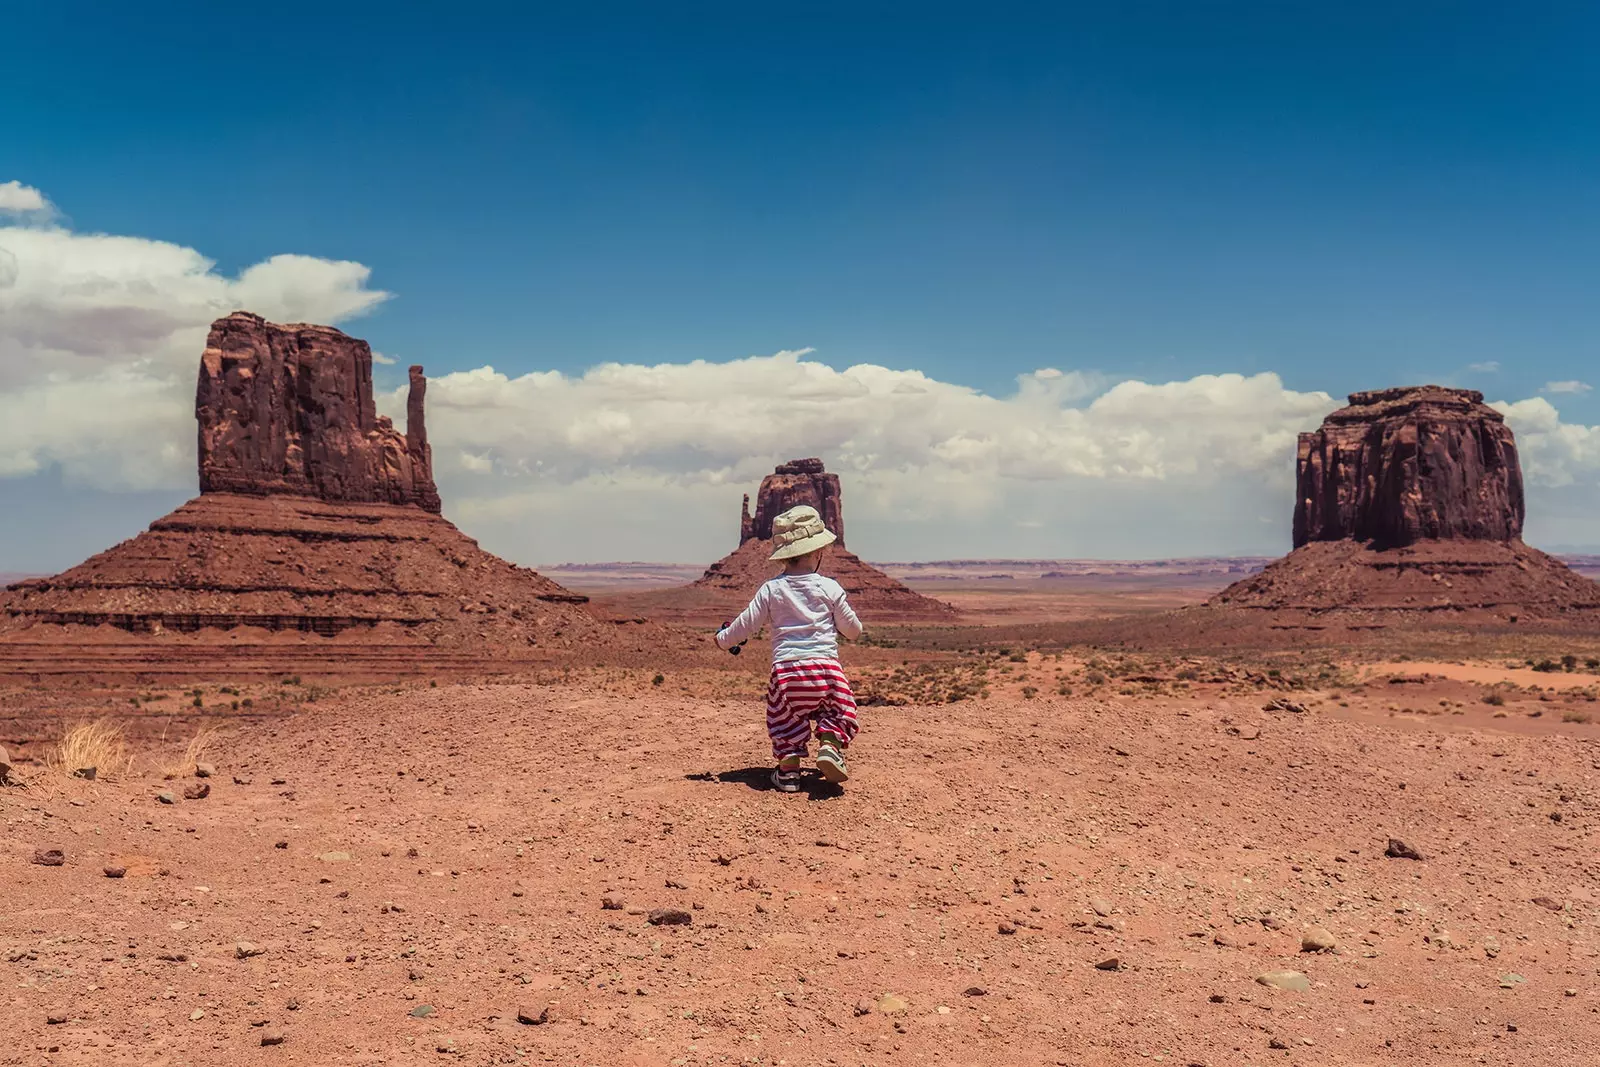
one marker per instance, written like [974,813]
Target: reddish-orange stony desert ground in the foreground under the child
[594,873]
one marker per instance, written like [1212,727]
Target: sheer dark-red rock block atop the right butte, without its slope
[1401,466]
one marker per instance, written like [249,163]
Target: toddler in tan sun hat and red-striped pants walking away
[807,613]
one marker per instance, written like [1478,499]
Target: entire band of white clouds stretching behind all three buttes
[100,337]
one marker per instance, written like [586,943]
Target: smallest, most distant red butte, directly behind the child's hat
[874,594]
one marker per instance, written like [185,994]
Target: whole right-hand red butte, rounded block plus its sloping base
[1412,500]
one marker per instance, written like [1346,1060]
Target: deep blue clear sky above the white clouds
[1346,196]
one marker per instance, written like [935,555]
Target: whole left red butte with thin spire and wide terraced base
[316,518]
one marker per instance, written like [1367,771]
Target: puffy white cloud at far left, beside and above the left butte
[100,338]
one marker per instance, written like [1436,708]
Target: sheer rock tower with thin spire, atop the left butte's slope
[290,410]
